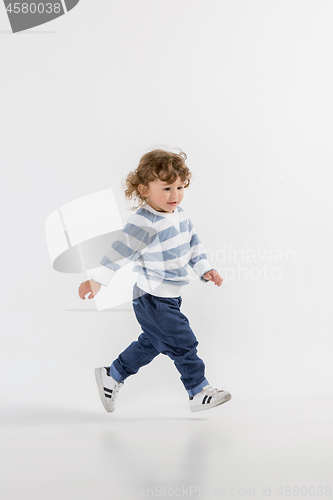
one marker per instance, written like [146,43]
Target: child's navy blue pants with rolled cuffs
[165,330]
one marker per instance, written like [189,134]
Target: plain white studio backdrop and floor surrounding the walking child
[245,89]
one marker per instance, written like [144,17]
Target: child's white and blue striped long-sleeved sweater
[161,246]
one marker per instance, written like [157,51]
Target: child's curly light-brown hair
[156,164]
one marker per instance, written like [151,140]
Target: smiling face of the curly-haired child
[164,197]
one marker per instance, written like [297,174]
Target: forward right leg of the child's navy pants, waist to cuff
[168,330]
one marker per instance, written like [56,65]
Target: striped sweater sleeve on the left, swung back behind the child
[130,244]
